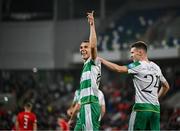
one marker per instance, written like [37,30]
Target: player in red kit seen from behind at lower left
[26,120]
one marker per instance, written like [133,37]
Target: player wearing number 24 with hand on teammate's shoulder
[147,77]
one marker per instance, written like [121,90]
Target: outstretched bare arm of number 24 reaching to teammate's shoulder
[113,66]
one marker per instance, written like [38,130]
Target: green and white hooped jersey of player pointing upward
[90,80]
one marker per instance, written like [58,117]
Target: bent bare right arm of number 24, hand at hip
[164,89]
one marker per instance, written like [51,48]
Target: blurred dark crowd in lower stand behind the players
[51,92]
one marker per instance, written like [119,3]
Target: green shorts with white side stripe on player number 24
[144,120]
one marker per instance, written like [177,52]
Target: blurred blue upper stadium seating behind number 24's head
[145,24]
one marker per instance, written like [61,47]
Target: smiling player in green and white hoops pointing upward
[90,109]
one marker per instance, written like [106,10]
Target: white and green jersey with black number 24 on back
[146,79]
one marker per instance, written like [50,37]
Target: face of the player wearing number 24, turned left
[135,54]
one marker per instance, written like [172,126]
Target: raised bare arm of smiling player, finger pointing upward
[92,37]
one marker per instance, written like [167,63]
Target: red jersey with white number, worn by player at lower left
[26,120]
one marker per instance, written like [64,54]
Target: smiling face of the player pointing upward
[85,50]
